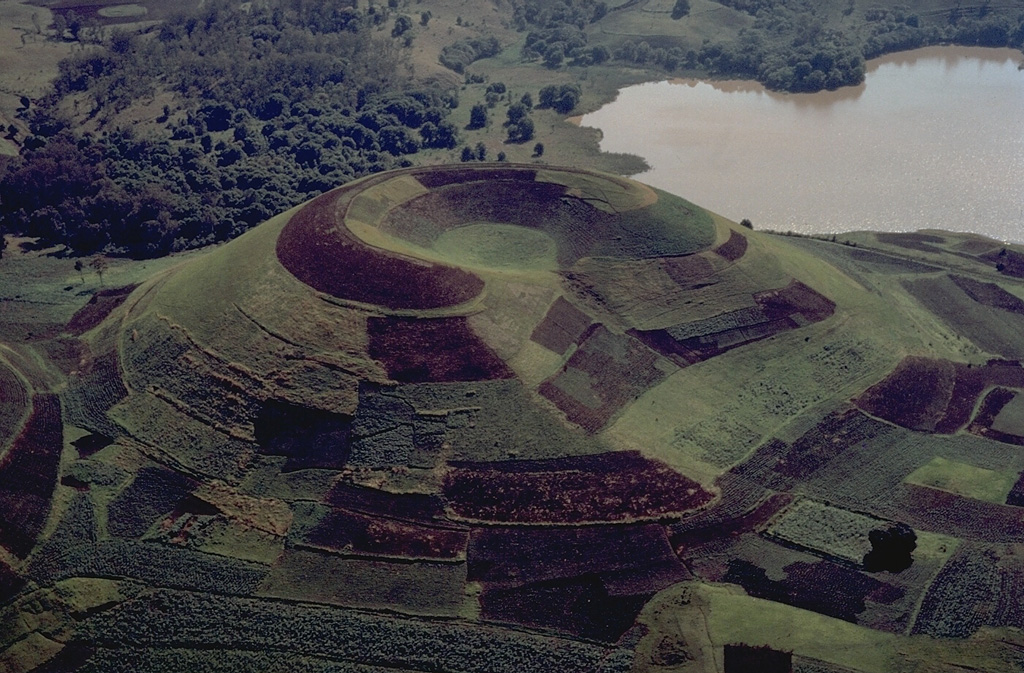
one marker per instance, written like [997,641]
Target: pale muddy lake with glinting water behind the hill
[934,139]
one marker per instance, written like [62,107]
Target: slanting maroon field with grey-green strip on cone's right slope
[777,312]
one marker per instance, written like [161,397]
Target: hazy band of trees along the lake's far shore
[789,48]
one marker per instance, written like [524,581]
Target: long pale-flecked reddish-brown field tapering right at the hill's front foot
[616,487]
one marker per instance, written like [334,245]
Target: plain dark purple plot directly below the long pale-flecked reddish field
[528,555]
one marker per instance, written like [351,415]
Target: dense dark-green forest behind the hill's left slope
[276,104]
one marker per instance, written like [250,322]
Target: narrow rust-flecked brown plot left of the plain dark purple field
[355,533]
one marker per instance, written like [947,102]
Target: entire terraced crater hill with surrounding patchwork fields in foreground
[514,417]
